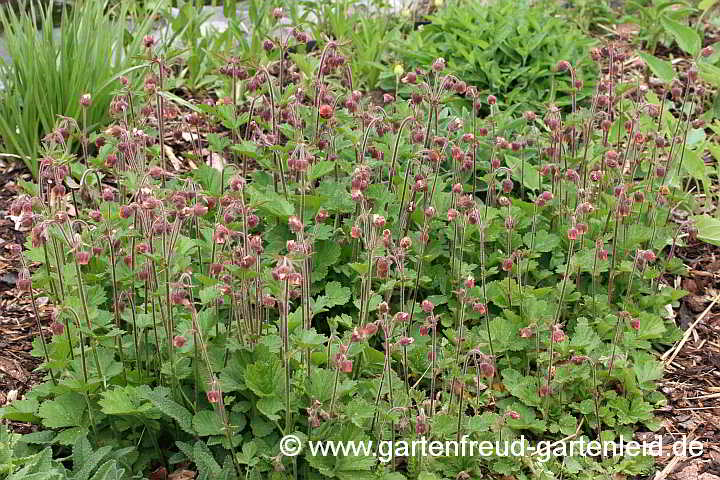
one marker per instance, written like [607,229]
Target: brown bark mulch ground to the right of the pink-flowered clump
[692,380]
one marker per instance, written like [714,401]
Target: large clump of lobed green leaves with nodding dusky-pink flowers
[357,271]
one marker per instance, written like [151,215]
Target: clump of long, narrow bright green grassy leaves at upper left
[52,68]
